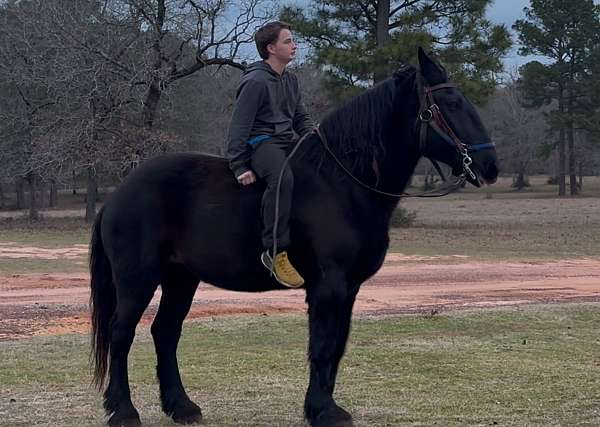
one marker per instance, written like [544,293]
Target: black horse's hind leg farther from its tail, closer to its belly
[178,288]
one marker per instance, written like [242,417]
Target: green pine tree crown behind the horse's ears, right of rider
[361,42]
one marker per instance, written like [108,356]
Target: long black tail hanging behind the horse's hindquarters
[102,304]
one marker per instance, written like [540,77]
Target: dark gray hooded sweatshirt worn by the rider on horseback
[268,105]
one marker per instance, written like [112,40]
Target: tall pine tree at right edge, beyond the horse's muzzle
[567,34]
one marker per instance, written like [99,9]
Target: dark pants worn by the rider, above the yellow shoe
[267,159]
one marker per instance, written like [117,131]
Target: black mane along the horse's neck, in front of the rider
[360,128]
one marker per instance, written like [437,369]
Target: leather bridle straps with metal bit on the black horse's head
[430,115]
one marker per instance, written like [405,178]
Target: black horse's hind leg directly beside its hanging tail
[133,296]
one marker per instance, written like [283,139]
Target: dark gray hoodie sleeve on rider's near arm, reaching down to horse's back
[249,98]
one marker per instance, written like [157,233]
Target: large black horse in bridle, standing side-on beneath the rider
[182,218]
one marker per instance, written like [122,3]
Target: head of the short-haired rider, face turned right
[274,40]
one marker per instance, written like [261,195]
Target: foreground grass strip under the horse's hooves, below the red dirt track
[527,366]
